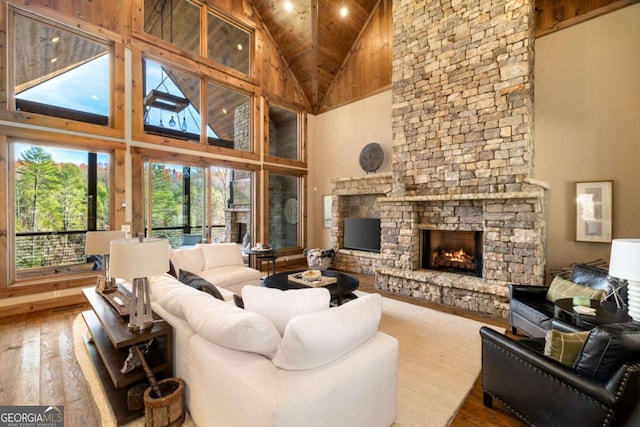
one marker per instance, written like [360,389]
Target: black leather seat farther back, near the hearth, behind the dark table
[530,312]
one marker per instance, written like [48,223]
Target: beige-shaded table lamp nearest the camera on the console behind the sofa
[135,260]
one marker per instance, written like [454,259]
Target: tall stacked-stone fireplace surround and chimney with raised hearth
[462,121]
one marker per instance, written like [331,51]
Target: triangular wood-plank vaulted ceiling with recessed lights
[314,37]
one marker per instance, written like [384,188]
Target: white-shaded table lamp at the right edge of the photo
[625,264]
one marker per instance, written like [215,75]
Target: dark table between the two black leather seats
[606,312]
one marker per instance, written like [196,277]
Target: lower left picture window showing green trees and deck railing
[60,194]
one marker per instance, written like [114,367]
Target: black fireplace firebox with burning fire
[452,251]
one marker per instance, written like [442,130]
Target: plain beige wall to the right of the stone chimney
[587,125]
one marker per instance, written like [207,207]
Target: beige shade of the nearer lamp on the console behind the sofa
[132,259]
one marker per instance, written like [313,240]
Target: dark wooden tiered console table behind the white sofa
[109,348]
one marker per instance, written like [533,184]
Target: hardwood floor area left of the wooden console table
[38,365]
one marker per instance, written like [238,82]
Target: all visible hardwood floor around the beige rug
[38,366]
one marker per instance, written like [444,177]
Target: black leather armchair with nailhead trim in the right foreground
[601,389]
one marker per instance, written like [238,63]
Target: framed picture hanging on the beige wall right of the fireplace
[594,205]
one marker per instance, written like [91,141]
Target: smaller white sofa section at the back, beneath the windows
[219,263]
